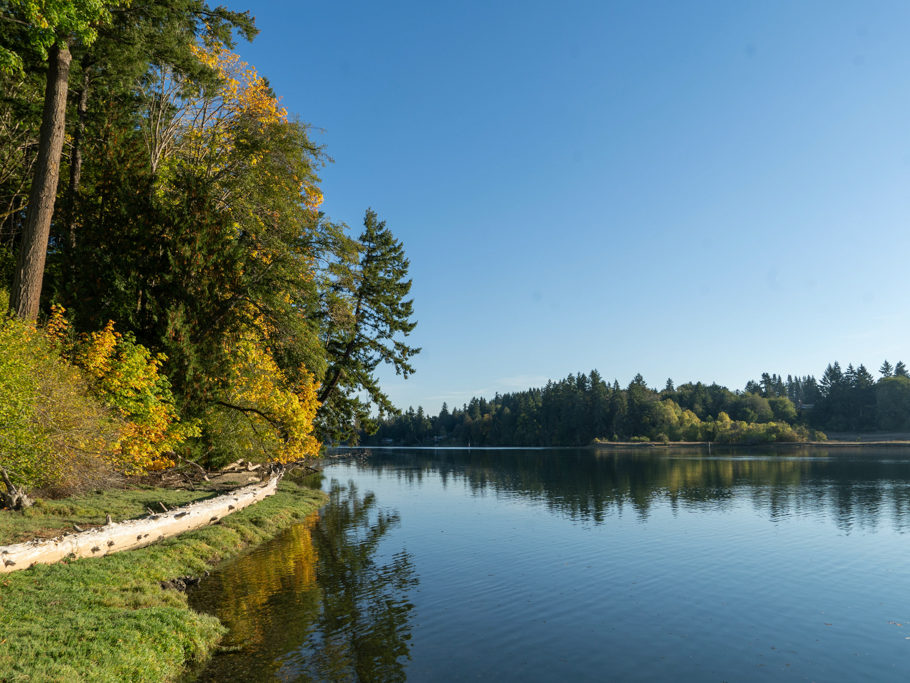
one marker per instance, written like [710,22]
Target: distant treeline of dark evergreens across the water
[583,408]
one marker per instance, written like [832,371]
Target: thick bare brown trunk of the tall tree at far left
[26,292]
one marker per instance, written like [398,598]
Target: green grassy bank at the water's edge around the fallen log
[108,619]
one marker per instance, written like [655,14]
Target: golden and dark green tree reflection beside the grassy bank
[317,603]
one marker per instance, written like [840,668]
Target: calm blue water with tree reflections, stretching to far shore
[537,565]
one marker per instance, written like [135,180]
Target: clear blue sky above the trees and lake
[702,191]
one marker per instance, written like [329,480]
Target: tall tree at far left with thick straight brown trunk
[57,30]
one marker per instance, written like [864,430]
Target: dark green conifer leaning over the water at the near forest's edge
[369,318]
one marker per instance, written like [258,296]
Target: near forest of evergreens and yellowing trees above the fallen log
[174,292]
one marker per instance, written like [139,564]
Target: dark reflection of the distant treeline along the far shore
[855,488]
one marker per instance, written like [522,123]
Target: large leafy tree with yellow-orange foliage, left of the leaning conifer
[206,255]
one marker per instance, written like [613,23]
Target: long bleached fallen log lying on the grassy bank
[134,533]
